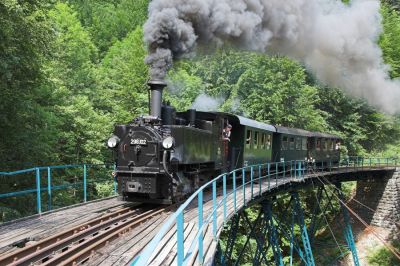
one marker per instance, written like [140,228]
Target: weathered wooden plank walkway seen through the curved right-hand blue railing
[166,251]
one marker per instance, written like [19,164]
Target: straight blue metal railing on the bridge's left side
[49,179]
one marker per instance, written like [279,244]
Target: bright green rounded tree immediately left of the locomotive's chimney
[122,78]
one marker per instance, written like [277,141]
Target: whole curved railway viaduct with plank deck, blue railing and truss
[189,233]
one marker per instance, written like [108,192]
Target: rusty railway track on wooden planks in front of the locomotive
[77,245]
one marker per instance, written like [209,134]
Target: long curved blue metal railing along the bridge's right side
[240,182]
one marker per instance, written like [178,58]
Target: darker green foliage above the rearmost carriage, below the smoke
[363,128]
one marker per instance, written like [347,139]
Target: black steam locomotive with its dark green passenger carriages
[167,155]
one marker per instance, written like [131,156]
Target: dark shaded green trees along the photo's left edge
[24,113]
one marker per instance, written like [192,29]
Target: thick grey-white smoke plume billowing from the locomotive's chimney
[337,42]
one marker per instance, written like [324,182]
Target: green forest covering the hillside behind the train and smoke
[71,70]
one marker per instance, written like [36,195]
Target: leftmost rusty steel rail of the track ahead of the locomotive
[46,247]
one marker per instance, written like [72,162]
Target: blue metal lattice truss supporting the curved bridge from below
[278,230]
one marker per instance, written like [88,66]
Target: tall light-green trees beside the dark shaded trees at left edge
[82,129]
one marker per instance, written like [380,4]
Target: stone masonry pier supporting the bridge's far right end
[382,194]
